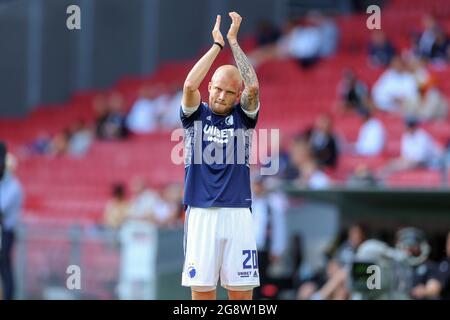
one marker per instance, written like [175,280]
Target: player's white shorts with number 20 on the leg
[220,241]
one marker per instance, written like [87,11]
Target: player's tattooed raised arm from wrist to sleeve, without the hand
[249,97]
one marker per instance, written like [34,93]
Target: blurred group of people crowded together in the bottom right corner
[421,277]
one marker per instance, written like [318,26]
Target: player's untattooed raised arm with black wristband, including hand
[191,94]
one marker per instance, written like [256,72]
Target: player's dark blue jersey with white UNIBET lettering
[217,150]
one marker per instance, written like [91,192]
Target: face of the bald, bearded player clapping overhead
[223,94]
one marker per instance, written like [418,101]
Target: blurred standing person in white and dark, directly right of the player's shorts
[269,213]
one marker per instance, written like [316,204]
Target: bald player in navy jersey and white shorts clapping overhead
[219,230]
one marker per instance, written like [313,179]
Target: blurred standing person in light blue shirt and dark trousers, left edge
[11,203]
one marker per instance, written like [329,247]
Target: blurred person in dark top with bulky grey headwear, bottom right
[425,278]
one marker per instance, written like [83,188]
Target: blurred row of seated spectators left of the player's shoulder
[155,108]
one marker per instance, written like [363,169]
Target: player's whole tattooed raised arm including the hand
[250,95]
